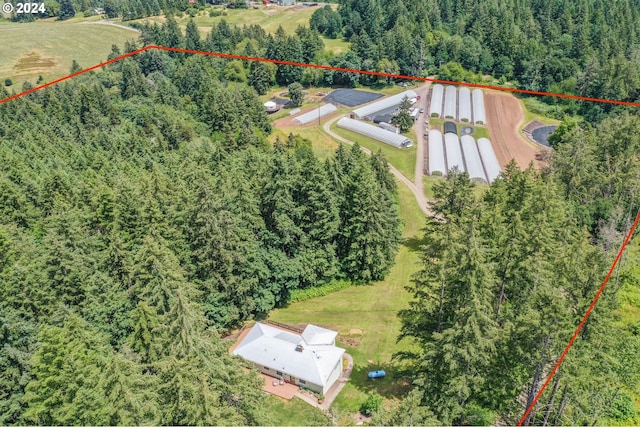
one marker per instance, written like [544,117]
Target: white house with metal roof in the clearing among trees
[310,360]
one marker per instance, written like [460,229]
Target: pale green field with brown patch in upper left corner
[47,49]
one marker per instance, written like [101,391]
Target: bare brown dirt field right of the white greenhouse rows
[504,117]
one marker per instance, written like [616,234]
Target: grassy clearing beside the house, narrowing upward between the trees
[366,318]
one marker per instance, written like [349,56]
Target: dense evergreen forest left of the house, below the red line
[142,211]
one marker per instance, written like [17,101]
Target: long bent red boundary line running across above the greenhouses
[322,67]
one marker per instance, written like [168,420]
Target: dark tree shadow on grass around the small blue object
[394,385]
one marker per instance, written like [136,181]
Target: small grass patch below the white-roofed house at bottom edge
[294,412]
